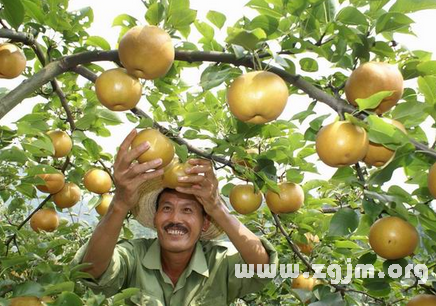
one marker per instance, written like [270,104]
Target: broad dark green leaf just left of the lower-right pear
[344,222]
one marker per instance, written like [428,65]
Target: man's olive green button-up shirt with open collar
[209,278]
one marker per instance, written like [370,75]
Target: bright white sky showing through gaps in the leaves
[106,11]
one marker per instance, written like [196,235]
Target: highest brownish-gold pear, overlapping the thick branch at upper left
[146,52]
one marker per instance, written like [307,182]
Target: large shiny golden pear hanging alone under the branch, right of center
[257,97]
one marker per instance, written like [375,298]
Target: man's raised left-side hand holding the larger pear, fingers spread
[129,174]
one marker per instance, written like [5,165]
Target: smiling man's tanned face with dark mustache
[179,221]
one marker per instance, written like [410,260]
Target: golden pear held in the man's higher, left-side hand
[160,146]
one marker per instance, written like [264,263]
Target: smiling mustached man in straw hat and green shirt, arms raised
[182,266]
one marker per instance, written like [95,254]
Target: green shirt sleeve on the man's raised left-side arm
[120,266]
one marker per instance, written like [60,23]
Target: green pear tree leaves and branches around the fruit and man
[284,37]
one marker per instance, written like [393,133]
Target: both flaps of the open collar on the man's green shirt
[198,261]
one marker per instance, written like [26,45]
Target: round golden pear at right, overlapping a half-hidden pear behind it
[341,144]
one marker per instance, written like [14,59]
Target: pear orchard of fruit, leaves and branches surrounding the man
[319,123]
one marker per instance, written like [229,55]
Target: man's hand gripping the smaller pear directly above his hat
[204,184]
